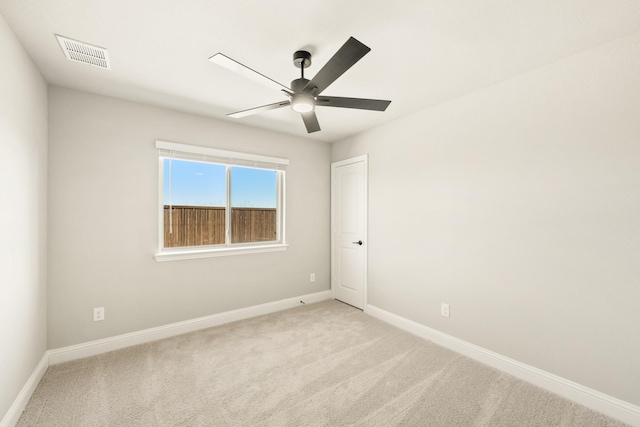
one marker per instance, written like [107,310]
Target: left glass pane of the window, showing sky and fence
[194,203]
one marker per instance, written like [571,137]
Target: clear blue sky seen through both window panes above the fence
[204,184]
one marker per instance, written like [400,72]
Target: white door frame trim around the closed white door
[365,206]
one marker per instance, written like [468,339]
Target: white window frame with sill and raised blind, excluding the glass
[188,152]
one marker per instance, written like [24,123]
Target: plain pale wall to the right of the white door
[519,205]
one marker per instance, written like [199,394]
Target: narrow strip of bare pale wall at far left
[23,194]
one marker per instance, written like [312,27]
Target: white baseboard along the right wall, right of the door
[603,403]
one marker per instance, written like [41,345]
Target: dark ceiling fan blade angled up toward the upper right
[350,53]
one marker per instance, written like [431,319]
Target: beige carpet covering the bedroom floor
[324,364]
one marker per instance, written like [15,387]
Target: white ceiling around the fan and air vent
[423,52]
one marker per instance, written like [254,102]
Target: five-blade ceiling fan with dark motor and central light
[304,94]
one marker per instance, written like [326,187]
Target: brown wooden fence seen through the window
[205,225]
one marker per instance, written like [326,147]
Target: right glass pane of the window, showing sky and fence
[253,205]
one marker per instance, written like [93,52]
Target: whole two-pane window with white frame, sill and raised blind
[215,202]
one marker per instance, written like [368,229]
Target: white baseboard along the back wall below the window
[93,348]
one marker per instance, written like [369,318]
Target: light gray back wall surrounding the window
[103,221]
